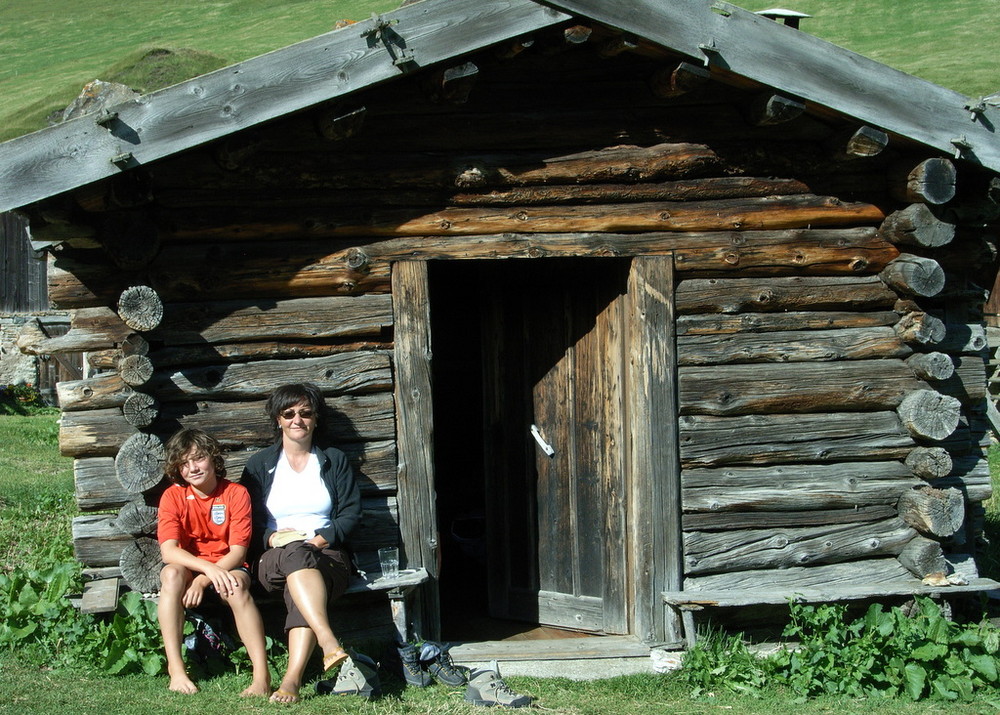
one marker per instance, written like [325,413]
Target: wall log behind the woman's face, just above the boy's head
[97,433]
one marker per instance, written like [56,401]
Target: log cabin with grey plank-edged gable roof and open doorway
[624,310]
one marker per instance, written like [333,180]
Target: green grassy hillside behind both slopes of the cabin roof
[51,48]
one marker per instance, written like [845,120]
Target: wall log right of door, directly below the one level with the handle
[795,488]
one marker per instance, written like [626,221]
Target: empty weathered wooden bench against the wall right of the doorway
[685,603]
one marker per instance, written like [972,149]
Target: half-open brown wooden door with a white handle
[554,358]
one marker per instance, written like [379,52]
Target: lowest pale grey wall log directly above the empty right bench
[869,572]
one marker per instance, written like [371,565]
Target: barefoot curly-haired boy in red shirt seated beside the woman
[204,532]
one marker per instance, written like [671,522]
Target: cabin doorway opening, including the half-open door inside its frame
[532,523]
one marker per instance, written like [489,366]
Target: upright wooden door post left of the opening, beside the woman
[415,429]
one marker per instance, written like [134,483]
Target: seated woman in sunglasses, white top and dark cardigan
[306,503]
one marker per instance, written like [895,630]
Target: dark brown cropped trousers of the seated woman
[277,563]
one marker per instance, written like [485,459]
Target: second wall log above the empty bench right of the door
[707,552]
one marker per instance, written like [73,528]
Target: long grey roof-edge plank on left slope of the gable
[81,151]
